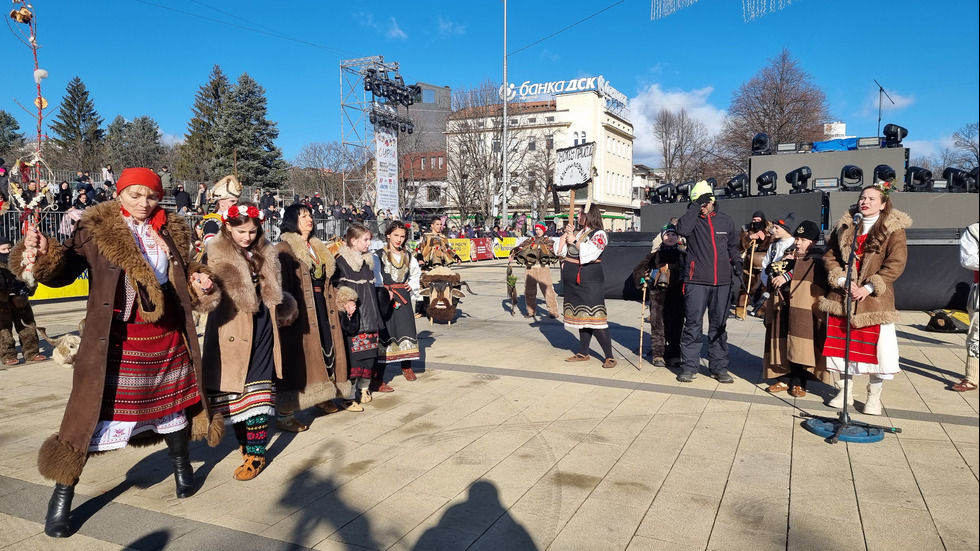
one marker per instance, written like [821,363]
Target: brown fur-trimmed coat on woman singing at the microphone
[883,261]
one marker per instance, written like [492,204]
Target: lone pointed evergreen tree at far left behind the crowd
[77,128]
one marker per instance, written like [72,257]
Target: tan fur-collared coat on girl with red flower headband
[228,335]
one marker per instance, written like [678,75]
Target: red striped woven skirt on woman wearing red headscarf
[149,372]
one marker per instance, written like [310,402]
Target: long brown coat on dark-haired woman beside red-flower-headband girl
[304,380]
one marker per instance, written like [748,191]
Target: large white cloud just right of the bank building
[649,101]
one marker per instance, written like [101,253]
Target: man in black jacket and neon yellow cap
[712,257]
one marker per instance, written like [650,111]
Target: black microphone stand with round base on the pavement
[857,431]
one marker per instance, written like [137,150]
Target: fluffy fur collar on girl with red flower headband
[236,277]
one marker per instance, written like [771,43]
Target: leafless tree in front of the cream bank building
[474,144]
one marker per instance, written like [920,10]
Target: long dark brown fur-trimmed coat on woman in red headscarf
[104,245]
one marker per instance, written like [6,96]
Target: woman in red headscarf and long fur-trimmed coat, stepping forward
[139,380]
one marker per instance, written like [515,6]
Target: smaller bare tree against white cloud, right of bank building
[683,144]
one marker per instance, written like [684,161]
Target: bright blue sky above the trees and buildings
[150,57]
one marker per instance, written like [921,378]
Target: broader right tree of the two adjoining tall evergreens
[245,140]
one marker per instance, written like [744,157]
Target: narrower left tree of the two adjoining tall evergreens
[198,149]
